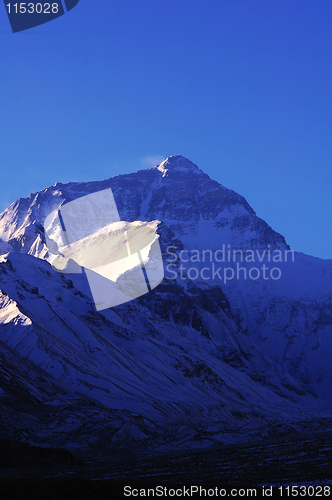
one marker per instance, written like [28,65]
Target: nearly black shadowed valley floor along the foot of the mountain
[301,460]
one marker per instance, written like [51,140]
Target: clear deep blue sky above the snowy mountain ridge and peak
[243,88]
